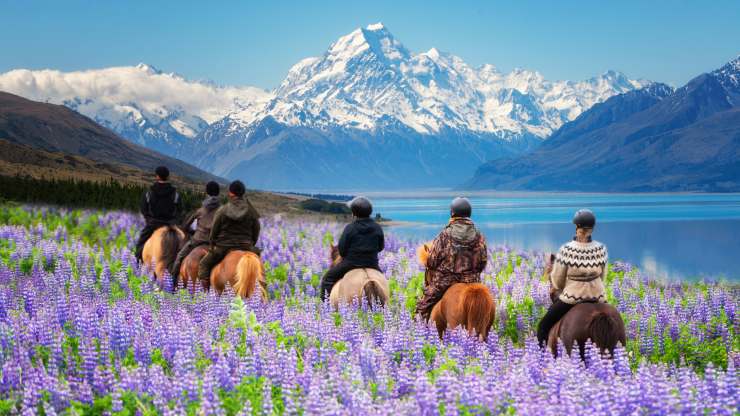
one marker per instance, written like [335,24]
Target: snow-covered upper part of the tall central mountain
[368,76]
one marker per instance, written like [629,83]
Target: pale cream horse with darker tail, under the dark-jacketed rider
[366,283]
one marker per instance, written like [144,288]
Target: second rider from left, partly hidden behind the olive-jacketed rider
[203,219]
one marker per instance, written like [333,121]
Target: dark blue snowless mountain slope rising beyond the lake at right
[653,139]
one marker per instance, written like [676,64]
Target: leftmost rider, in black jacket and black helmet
[160,205]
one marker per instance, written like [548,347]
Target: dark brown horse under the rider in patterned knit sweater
[599,322]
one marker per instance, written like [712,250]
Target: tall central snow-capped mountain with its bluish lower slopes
[370,113]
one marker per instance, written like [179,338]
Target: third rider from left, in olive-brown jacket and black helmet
[236,226]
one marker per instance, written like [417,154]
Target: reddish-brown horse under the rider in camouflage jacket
[468,304]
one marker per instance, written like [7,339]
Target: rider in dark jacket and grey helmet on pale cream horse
[359,245]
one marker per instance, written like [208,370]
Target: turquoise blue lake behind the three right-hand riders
[674,236]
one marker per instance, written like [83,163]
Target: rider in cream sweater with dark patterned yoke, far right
[578,271]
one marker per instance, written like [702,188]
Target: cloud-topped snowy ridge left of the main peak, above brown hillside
[160,110]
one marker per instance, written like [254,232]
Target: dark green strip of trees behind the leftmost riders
[110,194]
